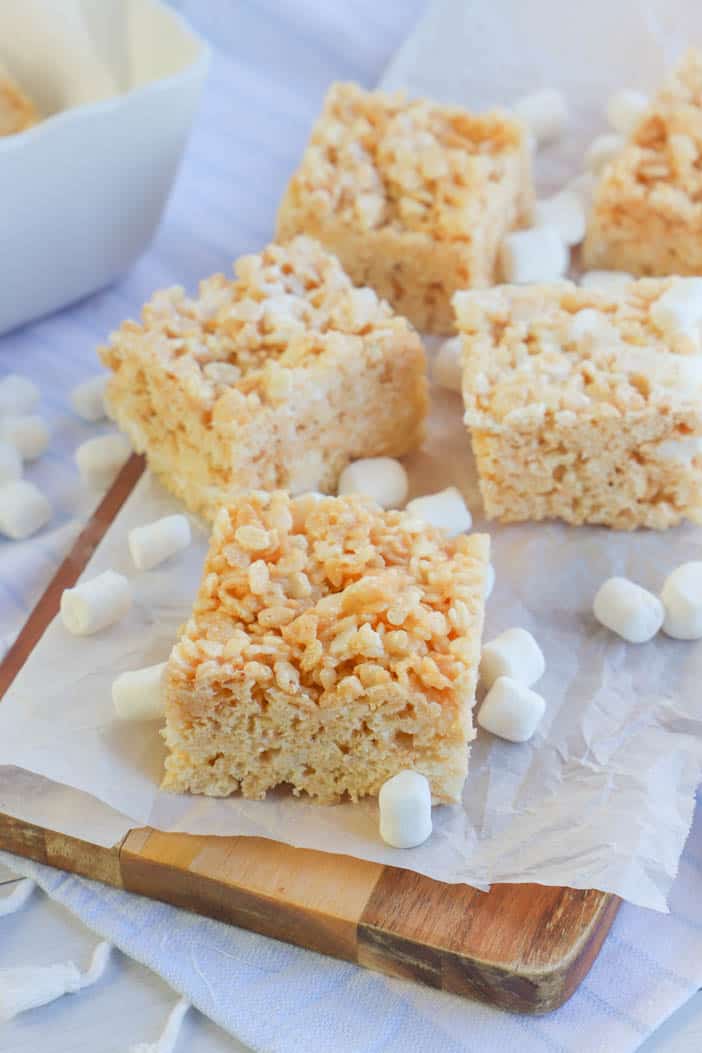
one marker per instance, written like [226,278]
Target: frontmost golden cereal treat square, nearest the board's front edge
[332,645]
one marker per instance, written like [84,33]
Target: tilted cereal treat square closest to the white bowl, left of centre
[275,380]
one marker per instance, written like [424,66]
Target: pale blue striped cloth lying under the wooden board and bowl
[272,68]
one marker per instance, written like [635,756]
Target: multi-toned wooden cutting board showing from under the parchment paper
[523,947]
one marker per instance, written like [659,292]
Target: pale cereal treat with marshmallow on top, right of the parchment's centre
[587,406]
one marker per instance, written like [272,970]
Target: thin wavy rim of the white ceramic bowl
[197,68]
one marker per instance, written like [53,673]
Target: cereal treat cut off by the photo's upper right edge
[647,214]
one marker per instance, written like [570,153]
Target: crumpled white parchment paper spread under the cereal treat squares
[604,796]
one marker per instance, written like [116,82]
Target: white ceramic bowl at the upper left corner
[82,193]
